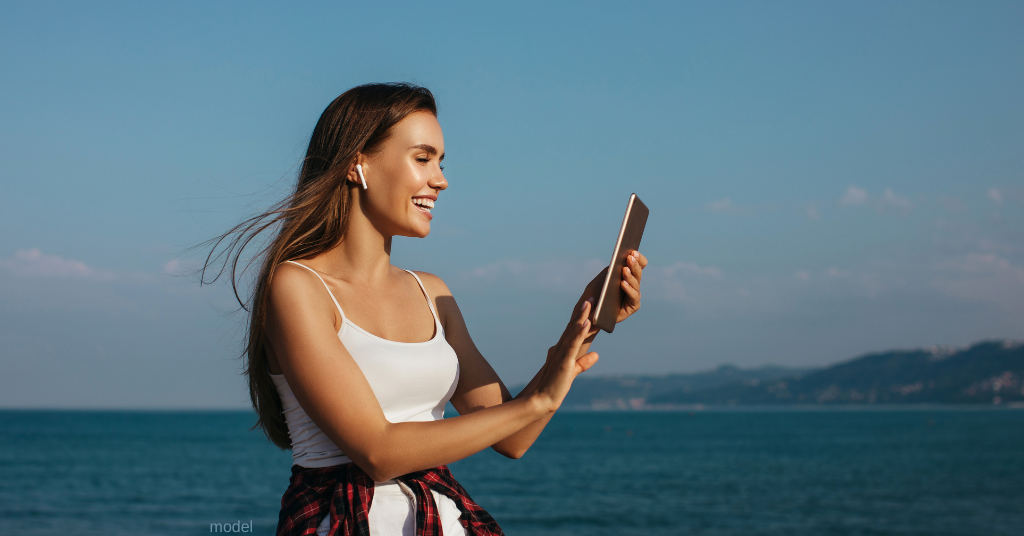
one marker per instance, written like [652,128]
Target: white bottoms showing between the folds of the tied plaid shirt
[393,513]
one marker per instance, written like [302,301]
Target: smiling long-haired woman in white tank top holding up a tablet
[351,360]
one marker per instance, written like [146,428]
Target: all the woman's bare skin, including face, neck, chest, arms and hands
[304,325]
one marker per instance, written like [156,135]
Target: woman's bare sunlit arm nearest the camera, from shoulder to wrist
[333,391]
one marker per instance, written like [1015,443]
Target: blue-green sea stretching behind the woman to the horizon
[795,472]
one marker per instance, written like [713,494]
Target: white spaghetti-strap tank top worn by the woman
[413,382]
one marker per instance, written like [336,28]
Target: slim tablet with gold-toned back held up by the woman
[609,302]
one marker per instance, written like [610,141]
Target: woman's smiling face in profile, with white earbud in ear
[404,177]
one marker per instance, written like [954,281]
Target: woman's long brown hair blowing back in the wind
[310,222]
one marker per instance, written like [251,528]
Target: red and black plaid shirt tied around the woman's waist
[347,492]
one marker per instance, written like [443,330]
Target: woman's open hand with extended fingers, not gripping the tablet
[563,365]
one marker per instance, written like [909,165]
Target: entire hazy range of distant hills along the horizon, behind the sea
[990,373]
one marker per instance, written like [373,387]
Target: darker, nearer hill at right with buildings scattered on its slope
[985,374]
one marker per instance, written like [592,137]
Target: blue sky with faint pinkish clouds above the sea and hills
[825,180]
